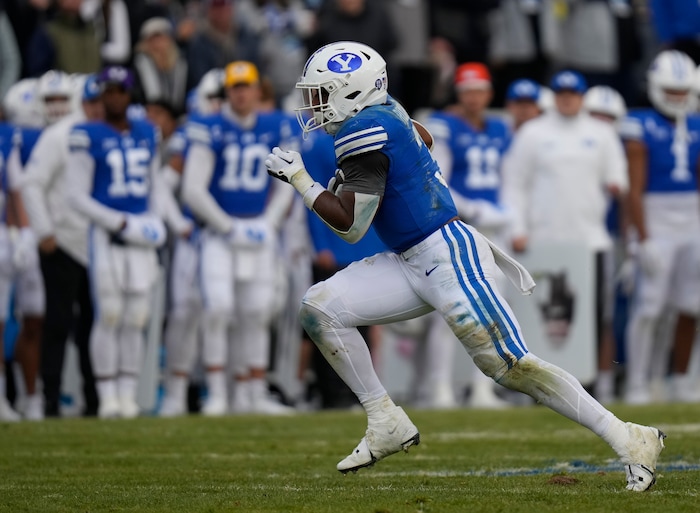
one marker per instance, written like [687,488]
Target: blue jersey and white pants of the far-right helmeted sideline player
[671,210]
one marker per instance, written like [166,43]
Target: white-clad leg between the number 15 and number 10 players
[180,336]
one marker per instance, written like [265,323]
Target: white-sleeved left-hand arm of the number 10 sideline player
[199,168]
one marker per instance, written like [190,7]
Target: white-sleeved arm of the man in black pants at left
[39,174]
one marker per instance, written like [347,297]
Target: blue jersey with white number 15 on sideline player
[122,162]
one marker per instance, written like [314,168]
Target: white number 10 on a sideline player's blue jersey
[244,168]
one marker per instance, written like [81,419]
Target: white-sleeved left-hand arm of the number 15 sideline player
[80,172]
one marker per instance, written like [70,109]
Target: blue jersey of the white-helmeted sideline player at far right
[671,162]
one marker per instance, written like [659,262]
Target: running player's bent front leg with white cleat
[372,291]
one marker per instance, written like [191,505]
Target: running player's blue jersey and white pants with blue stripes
[437,262]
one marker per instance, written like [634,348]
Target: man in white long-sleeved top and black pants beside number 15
[62,236]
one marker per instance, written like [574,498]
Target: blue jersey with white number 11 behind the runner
[477,154]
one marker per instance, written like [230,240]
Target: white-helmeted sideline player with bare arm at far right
[663,147]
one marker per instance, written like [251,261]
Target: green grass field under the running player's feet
[468,461]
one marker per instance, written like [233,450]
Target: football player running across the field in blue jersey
[438,262]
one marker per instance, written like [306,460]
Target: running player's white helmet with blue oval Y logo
[338,81]
